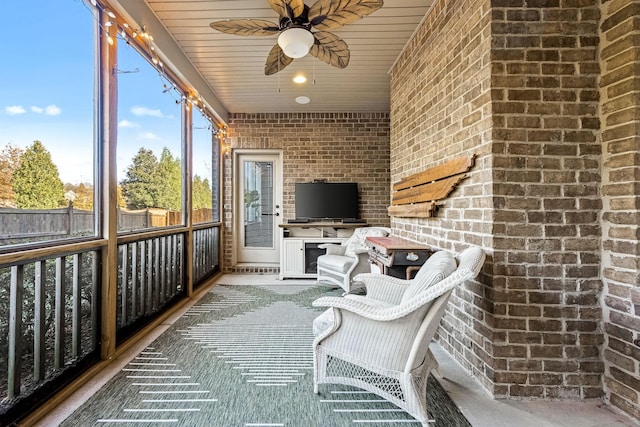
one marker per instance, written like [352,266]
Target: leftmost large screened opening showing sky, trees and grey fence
[46,123]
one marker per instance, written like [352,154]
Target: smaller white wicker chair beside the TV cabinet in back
[344,261]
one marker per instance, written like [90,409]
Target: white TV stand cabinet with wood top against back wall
[299,249]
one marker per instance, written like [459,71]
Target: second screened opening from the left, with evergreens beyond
[149,151]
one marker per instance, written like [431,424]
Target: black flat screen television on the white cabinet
[326,200]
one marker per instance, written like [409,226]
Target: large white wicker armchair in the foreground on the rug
[380,342]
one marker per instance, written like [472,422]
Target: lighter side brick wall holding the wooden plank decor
[442,111]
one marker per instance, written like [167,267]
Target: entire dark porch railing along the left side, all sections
[50,301]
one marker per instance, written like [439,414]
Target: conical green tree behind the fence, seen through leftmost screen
[36,181]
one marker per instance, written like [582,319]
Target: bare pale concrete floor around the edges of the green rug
[477,406]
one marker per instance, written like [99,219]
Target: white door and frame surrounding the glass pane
[273,256]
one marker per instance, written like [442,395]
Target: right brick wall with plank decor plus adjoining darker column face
[519,89]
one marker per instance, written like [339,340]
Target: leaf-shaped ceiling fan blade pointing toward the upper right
[332,14]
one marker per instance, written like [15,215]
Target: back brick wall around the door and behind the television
[343,147]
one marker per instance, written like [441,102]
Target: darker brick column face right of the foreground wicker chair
[547,172]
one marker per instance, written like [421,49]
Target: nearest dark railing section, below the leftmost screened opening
[49,308]
